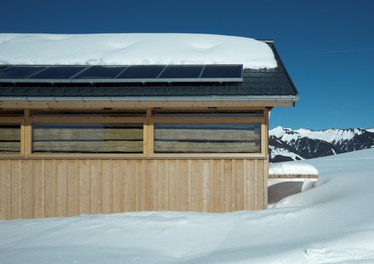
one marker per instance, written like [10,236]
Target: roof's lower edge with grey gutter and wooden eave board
[146,101]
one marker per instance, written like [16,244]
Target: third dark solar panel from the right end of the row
[141,72]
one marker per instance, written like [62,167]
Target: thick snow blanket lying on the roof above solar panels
[134,49]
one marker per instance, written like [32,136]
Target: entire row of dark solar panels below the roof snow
[124,73]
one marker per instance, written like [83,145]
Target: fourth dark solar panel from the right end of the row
[100,72]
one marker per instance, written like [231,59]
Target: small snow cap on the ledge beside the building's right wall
[290,168]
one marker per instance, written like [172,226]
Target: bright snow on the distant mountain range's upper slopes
[328,135]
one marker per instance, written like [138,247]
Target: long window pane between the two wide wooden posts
[87,138]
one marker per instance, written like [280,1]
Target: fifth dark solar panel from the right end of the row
[58,72]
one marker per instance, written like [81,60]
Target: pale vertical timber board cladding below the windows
[37,188]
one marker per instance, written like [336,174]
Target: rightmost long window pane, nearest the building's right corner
[207,137]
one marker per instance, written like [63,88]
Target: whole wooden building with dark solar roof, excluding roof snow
[78,139]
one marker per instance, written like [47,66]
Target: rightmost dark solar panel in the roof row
[222,71]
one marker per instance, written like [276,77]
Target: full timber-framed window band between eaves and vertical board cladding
[140,133]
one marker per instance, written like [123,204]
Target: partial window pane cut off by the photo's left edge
[10,139]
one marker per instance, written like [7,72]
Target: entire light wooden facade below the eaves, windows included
[44,177]
